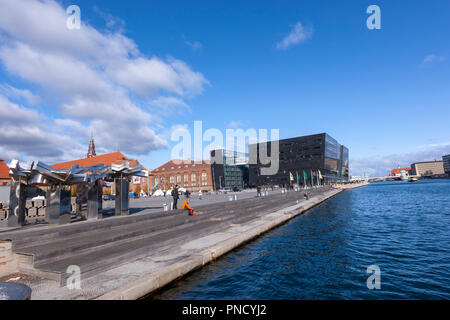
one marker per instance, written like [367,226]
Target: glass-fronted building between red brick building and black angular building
[229,169]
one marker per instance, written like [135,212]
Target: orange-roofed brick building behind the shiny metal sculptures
[136,184]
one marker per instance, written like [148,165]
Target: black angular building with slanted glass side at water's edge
[318,155]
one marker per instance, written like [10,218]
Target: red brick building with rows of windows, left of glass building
[190,175]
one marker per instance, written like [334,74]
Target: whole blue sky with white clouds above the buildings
[385,93]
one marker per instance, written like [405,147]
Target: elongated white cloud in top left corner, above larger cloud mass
[42,25]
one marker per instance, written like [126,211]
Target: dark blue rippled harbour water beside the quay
[402,227]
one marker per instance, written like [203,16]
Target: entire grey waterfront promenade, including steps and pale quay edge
[130,256]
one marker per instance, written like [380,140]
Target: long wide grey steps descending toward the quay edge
[96,246]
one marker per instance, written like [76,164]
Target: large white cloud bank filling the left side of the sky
[97,81]
